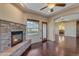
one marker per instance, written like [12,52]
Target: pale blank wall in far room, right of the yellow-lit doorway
[70,28]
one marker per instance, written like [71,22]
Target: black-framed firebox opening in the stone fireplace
[16,37]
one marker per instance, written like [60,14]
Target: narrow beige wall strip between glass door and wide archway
[51,29]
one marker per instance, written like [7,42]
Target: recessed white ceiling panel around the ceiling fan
[35,8]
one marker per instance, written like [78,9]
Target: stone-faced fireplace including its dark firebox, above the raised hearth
[11,34]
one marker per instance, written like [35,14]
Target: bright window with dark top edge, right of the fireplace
[32,26]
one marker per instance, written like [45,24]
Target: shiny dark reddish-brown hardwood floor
[50,48]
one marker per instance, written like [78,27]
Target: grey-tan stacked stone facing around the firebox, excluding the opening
[6,28]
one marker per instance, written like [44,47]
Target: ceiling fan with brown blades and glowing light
[51,5]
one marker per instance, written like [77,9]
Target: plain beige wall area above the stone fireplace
[10,13]
